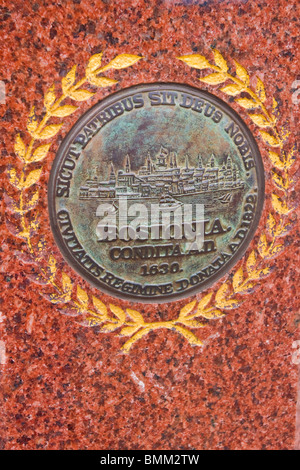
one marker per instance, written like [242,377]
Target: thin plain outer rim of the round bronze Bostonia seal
[88,117]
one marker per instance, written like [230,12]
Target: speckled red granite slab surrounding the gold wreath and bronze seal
[66,386]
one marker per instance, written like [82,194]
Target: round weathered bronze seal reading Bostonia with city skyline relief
[156,192]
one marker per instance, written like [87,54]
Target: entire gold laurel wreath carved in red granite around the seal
[72,299]
